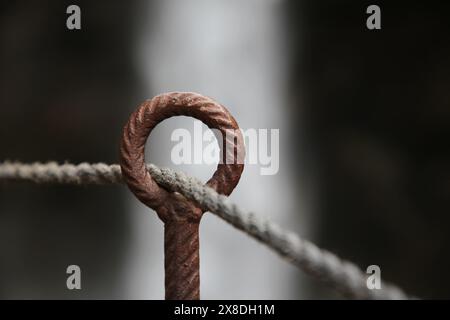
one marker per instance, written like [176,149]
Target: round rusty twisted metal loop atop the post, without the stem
[139,127]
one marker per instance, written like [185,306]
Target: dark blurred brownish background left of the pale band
[64,96]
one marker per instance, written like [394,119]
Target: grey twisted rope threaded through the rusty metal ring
[342,275]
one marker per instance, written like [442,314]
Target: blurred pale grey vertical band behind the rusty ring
[232,51]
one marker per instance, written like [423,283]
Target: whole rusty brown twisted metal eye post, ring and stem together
[181,217]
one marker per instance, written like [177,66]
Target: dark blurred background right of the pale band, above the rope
[376,110]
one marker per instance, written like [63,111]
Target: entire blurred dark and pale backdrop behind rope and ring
[364,140]
